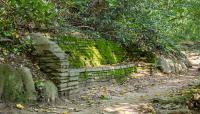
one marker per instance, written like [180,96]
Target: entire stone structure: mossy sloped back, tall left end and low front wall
[79,52]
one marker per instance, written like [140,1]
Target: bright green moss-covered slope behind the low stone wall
[90,53]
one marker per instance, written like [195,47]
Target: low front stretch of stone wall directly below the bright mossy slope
[88,76]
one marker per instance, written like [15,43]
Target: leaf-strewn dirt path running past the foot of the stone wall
[133,97]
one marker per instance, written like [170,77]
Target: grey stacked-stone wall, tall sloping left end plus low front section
[54,62]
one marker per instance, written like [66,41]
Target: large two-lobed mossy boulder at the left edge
[16,84]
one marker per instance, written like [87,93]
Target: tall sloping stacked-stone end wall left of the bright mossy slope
[53,61]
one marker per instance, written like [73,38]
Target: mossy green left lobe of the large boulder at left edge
[11,85]
